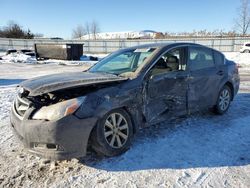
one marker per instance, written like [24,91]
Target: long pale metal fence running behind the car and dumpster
[107,46]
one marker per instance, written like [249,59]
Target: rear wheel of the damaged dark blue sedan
[224,100]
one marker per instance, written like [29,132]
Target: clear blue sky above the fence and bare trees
[58,17]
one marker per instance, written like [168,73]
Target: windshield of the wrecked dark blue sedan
[125,61]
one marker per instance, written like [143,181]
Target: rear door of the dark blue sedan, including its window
[204,79]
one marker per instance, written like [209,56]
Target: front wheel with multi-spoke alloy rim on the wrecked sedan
[113,133]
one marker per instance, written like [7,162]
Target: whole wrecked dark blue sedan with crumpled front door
[58,116]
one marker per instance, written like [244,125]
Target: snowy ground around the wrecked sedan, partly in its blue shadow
[203,150]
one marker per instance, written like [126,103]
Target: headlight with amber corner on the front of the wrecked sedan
[59,110]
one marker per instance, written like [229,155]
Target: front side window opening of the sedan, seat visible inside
[172,60]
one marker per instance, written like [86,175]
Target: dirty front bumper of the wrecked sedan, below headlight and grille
[57,140]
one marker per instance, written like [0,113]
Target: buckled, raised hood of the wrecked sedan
[54,82]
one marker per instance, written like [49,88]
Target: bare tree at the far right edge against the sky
[243,20]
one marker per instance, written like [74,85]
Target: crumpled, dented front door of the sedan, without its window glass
[166,93]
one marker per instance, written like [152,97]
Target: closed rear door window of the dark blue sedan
[200,58]
